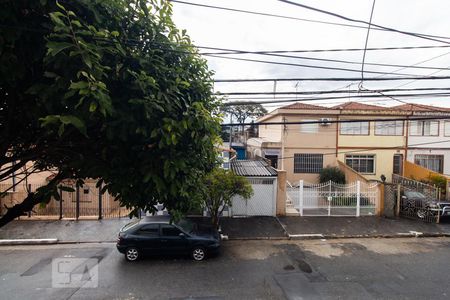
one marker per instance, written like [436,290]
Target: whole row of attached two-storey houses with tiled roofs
[372,140]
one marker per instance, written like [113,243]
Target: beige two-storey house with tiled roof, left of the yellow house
[302,150]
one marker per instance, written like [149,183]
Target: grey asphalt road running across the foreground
[406,268]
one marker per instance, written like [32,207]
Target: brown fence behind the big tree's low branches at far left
[84,202]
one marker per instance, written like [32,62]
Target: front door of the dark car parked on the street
[171,240]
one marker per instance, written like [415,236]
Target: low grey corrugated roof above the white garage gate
[252,168]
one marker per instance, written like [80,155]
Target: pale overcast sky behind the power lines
[210,27]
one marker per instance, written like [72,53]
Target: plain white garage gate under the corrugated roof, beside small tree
[263,201]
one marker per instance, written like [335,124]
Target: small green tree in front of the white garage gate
[220,186]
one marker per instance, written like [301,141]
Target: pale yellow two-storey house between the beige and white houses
[372,148]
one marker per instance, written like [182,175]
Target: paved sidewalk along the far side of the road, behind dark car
[235,228]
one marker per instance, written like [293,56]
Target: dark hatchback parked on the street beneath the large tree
[157,236]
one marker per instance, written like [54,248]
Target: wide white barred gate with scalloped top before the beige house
[333,199]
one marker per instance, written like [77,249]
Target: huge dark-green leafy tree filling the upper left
[110,90]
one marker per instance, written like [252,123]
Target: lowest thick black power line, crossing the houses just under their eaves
[412,118]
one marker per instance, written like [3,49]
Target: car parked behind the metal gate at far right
[423,206]
